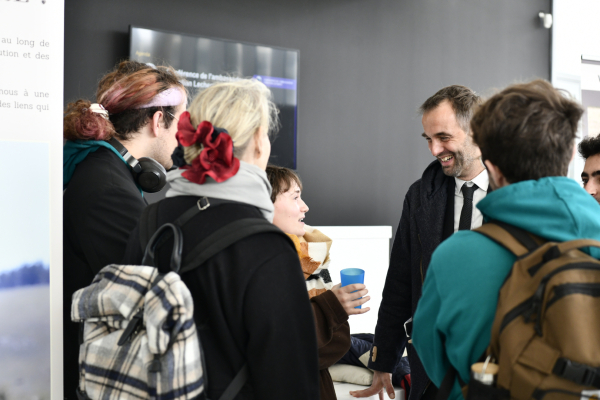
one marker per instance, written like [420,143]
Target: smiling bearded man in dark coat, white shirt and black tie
[434,207]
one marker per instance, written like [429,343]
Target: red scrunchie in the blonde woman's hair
[216,158]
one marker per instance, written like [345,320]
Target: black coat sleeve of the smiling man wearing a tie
[396,306]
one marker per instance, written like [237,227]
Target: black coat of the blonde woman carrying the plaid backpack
[250,305]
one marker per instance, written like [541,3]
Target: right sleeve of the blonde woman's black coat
[282,347]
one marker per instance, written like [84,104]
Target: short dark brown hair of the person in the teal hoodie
[527,131]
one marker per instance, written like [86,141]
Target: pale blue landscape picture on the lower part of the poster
[24,271]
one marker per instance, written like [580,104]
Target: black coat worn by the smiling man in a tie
[425,222]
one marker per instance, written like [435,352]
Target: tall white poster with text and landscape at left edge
[31,102]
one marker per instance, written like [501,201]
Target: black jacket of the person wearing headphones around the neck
[101,206]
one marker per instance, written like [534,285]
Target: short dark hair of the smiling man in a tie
[462,99]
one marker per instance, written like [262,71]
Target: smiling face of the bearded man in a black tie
[449,143]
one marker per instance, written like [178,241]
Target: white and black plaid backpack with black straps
[139,336]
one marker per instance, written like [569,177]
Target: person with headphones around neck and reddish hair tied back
[115,150]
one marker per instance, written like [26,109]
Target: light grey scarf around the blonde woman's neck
[250,185]
